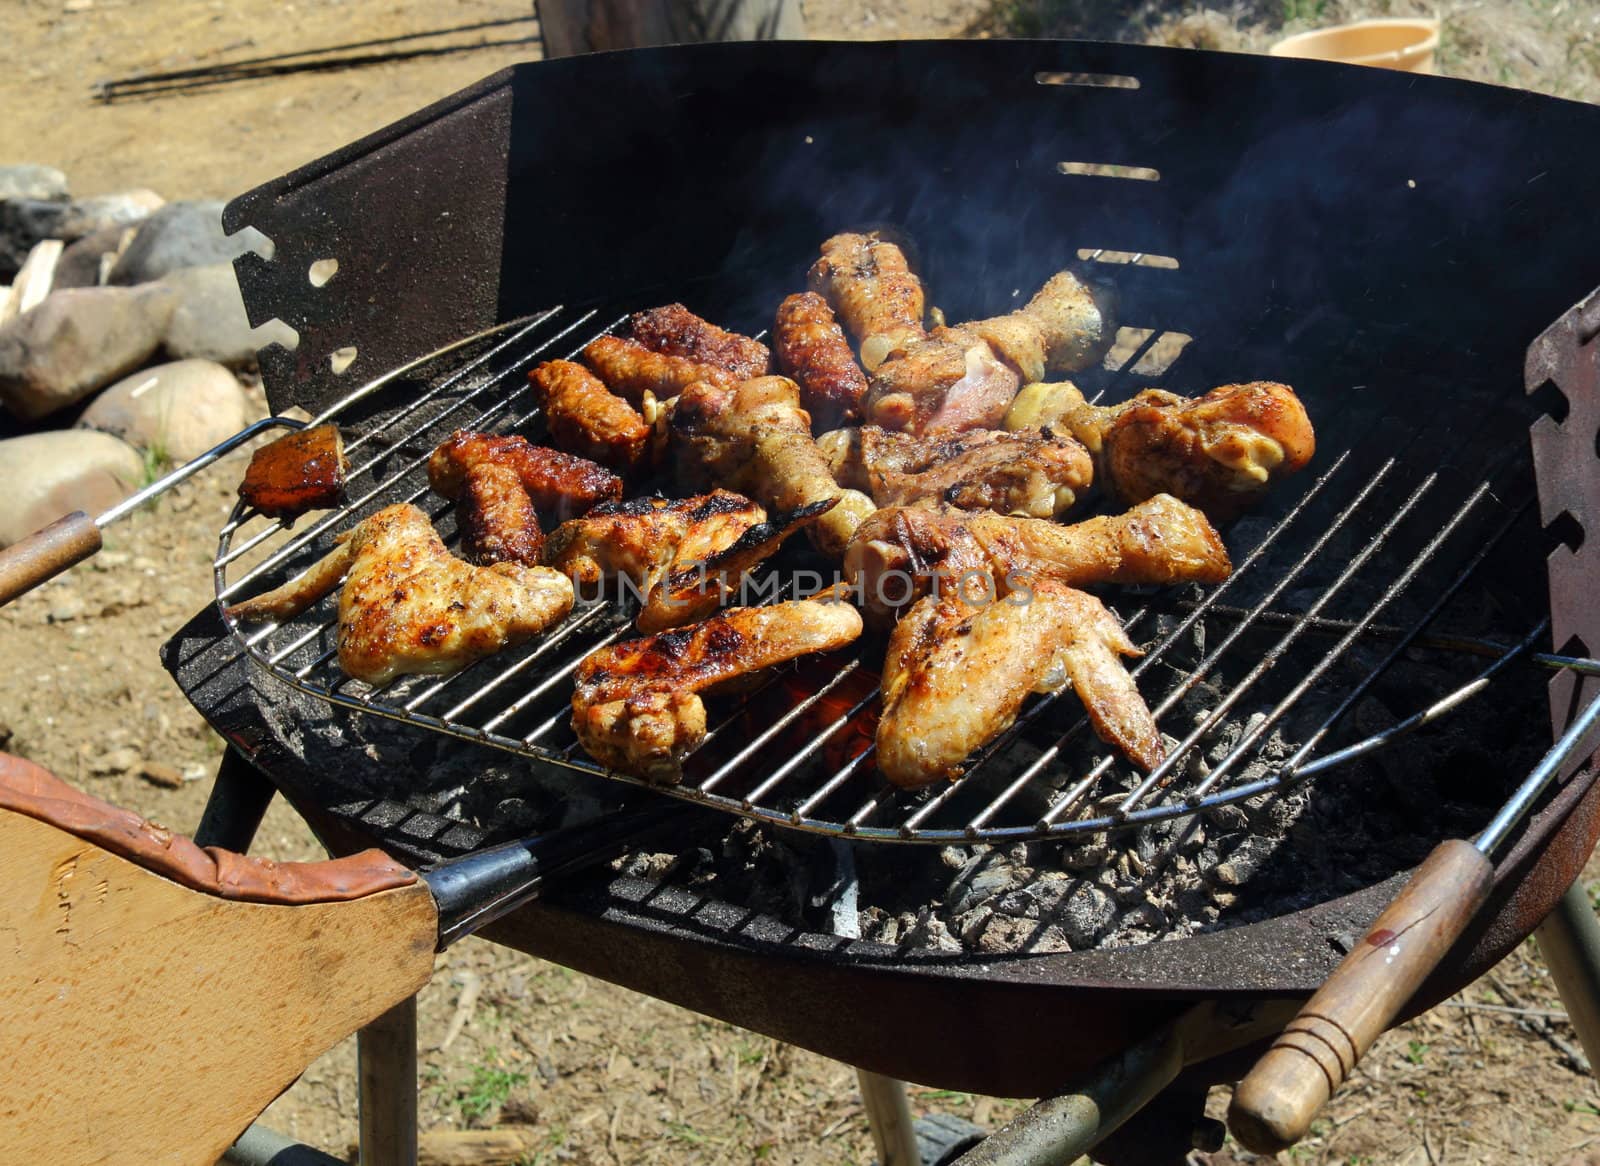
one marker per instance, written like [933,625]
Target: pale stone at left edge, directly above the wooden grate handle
[52,474]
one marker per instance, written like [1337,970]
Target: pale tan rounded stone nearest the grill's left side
[175,412]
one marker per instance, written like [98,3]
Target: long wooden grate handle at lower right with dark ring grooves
[1274,1106]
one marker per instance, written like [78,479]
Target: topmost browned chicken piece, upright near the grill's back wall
[874,292]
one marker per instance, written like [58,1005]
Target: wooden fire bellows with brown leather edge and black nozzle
[159,996]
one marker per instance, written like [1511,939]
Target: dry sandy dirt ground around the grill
[596,1074]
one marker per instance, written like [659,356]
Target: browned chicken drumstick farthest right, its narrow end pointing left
[1217,452]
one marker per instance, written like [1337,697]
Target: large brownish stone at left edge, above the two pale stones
[76,343]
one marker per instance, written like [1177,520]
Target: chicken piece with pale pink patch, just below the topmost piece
[945,383]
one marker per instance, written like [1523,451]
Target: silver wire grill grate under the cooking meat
[1366,538]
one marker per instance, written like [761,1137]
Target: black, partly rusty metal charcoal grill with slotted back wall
[1386,244]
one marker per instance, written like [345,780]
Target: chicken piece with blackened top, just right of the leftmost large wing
[642,538]
